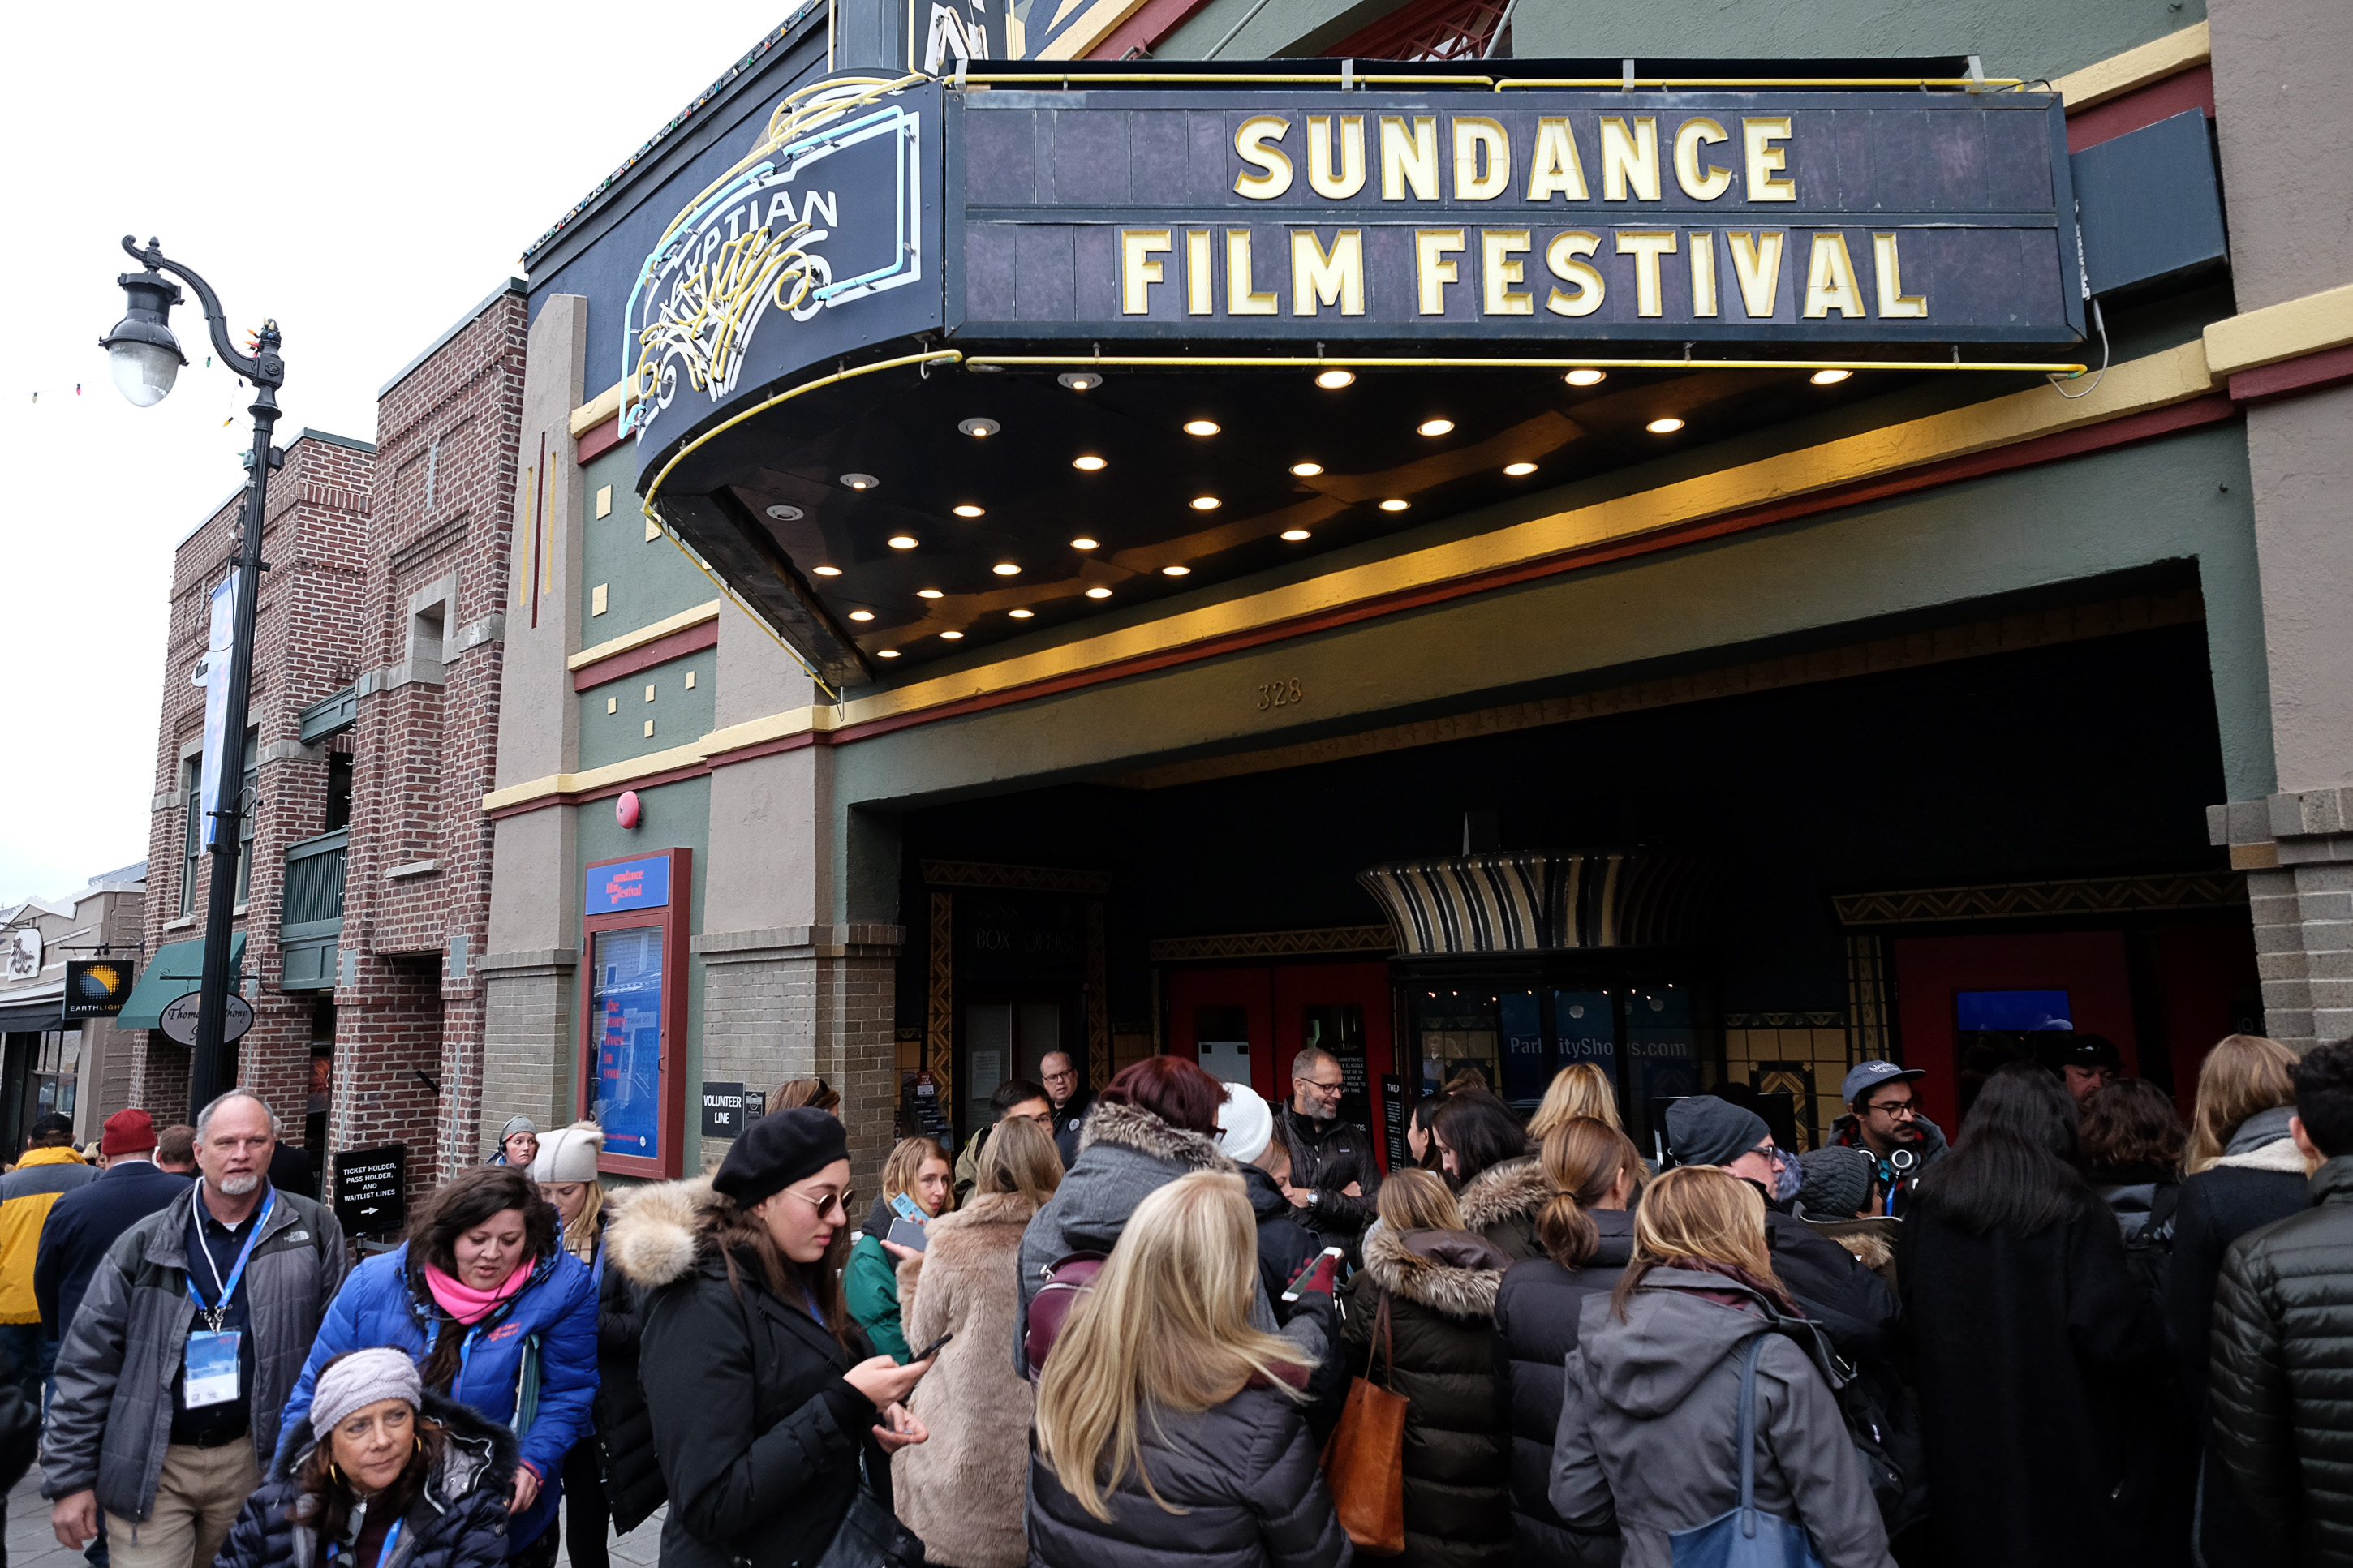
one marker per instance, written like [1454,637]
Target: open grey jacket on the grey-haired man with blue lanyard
[112,1419]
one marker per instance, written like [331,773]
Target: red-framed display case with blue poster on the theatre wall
[634,1010]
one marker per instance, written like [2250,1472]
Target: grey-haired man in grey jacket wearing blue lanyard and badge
[164,1416]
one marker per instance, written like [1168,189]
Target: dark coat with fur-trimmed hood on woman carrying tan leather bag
[1448,1365]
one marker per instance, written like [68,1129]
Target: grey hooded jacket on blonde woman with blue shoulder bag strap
[1651,1409]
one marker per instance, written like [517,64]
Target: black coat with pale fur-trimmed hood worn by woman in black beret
[754,1426]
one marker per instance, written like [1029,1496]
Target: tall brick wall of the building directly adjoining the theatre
[432,638]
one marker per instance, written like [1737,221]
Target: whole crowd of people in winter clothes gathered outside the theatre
[1171,1325]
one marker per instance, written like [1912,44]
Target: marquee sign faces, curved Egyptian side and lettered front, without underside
[1284,220]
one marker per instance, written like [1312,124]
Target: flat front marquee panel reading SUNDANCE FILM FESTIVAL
[1580,215]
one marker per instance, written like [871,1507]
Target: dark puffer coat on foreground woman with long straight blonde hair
[1244,1473]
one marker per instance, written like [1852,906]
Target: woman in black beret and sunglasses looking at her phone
[761,1391]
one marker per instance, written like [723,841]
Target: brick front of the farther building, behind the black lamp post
[316,542]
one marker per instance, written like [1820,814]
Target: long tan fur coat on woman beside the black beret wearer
[964,1492]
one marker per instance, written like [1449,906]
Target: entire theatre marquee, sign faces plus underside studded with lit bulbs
[931,370]
